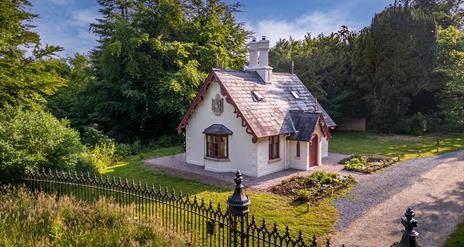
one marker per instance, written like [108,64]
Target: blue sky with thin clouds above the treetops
[66,22]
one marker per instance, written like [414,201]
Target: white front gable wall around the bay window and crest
[242,151]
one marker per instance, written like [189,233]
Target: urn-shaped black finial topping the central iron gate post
[238,202]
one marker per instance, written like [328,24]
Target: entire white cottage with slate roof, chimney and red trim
[256,121]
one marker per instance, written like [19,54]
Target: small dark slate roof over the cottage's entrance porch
[305,123]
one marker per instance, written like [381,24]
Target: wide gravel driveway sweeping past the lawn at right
[433,187]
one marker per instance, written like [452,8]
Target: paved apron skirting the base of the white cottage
[176,165]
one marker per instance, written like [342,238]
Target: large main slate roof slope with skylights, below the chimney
[271,116]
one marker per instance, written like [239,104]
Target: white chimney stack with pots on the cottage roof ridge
[259,59]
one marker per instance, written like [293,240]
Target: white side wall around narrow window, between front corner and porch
[265,166]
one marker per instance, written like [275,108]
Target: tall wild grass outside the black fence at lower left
[41,220]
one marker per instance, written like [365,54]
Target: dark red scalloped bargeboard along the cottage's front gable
[212,77]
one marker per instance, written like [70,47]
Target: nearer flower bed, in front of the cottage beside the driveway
[313,188]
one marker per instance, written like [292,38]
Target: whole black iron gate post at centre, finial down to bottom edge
[238,209]
